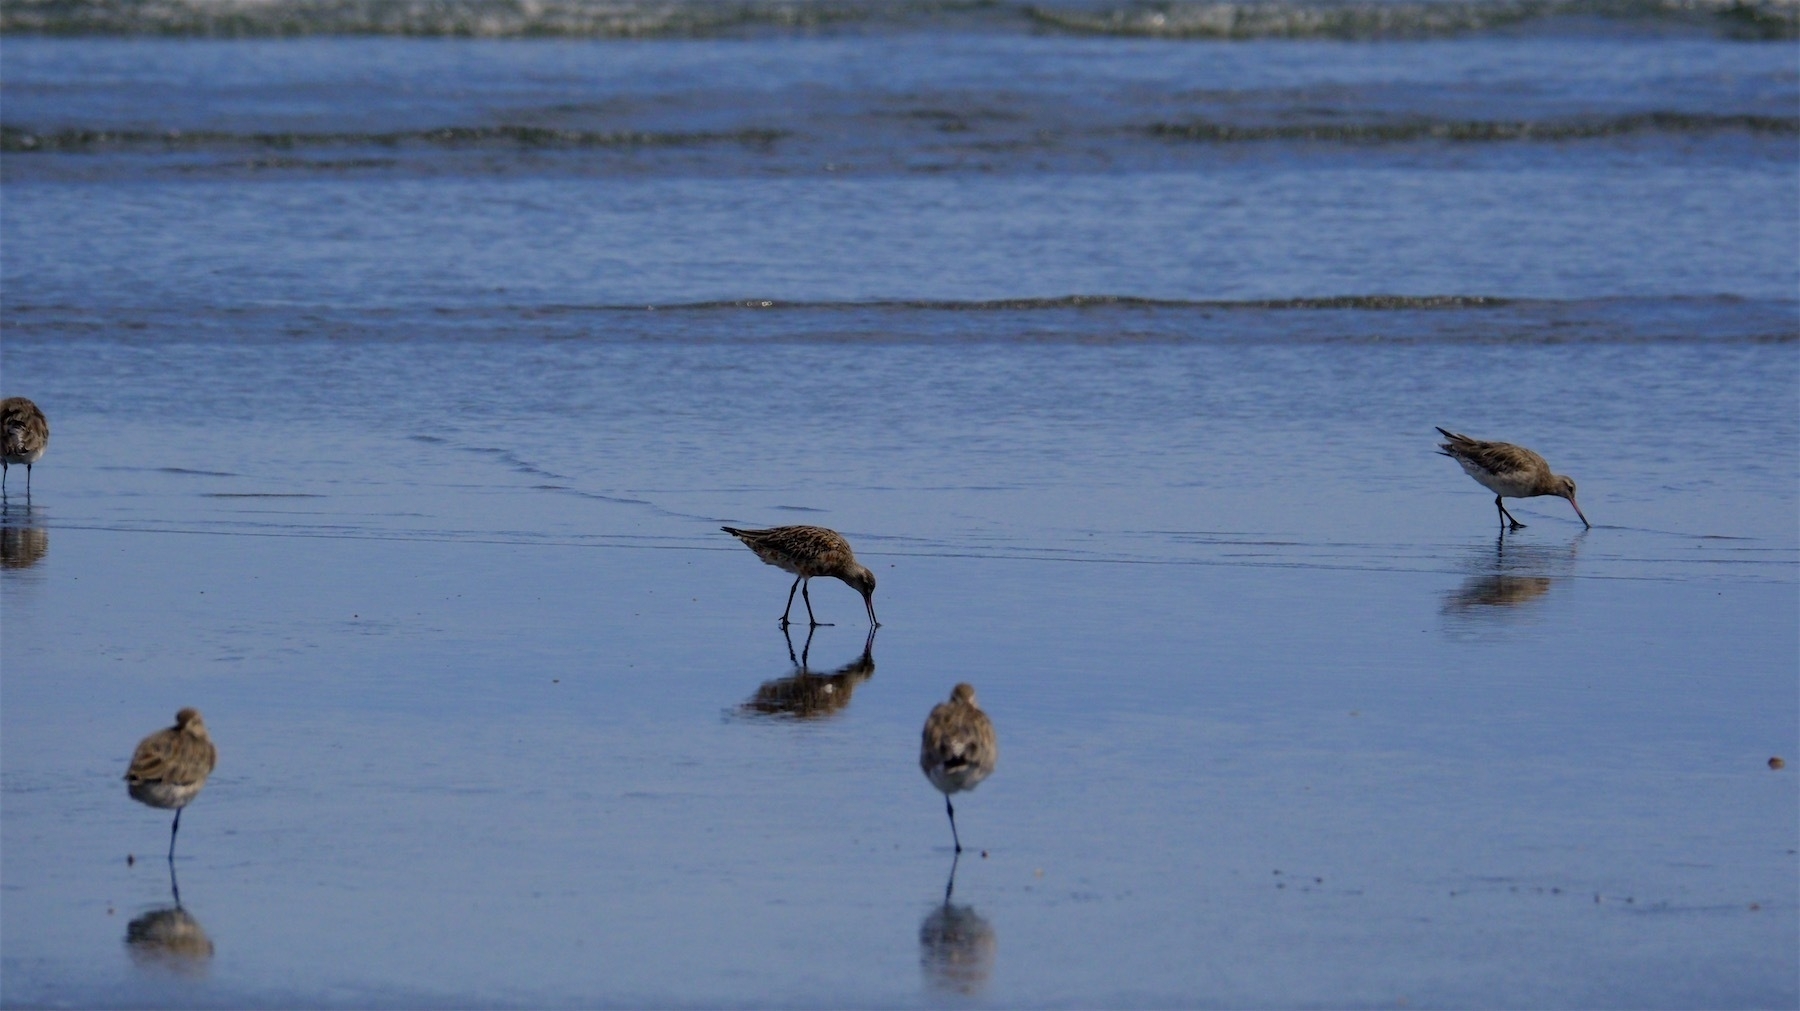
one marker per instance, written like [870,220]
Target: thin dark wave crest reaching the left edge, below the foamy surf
[17,139]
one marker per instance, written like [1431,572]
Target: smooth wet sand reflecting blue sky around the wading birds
[521,769]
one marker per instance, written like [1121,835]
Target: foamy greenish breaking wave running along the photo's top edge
[687,19]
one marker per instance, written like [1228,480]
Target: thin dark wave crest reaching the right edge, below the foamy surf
[1479,130]
